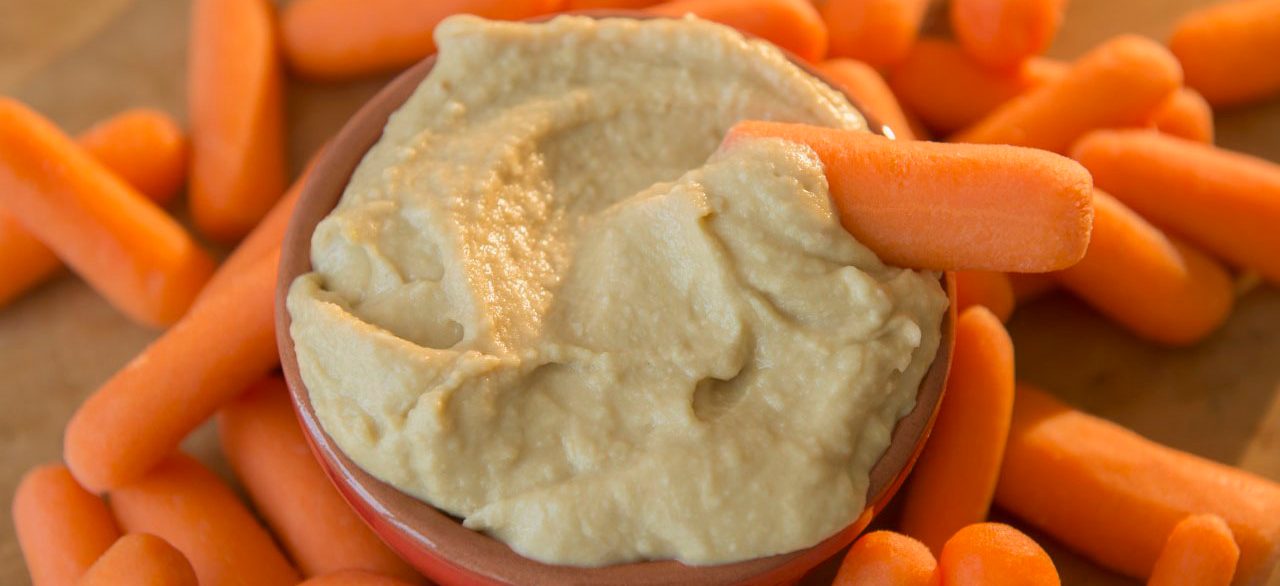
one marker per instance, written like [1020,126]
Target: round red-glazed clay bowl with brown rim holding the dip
[437,544]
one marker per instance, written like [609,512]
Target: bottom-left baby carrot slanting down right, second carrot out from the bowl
[191,509]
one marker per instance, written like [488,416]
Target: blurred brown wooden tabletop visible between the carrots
[81,61]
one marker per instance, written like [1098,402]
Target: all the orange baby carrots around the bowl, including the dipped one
[1099,176]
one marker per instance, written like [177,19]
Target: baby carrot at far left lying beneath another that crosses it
[144,148]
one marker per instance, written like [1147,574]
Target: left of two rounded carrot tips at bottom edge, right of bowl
[885,558]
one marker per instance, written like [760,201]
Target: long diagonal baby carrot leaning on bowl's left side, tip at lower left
[135,420]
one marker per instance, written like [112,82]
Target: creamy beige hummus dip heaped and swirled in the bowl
[550,306]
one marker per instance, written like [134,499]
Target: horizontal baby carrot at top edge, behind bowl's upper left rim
[346,39]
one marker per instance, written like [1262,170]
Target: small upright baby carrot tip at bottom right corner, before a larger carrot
[1201,552]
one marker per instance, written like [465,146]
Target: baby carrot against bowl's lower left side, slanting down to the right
[264,443]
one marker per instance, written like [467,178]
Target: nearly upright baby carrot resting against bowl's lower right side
[956,478]
